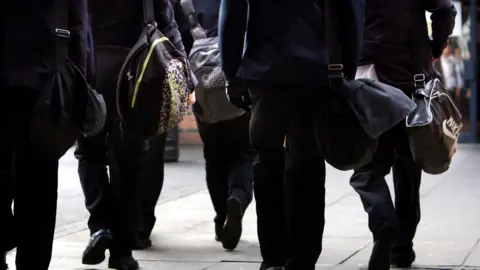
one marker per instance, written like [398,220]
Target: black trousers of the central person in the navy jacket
[298,200]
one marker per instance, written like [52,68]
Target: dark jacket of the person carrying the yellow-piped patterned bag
[120,22]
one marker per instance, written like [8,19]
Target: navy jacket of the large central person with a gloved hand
[285,40]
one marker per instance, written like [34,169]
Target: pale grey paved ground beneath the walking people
[448,236]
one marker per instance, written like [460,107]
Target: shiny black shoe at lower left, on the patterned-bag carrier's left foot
[98,244]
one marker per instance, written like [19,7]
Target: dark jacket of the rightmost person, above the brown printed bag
[396,38]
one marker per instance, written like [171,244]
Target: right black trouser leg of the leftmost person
[35,196]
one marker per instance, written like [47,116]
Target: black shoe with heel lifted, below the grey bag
[232,231]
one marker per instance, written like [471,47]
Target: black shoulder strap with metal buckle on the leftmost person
[61,31]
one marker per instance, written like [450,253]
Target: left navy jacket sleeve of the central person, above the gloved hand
[232,26]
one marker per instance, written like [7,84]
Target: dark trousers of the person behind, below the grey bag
[229,162]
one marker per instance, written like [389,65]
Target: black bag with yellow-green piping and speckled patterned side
[154,83]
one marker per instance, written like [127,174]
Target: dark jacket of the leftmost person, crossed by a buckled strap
[28,54]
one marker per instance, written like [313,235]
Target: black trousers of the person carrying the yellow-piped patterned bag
[113,204]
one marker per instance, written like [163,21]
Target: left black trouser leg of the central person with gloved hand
[268,127]
